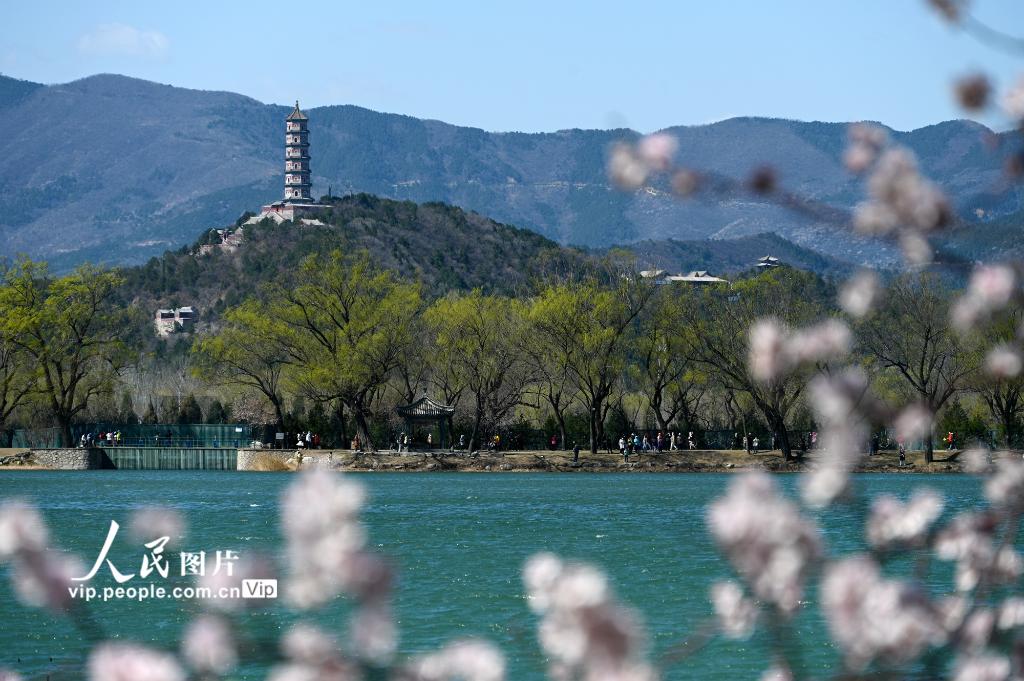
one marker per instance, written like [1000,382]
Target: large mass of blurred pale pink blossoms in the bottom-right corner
[874,619]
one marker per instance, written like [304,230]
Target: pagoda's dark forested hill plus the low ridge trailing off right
[441,246]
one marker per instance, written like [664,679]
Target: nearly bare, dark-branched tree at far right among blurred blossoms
[911,335]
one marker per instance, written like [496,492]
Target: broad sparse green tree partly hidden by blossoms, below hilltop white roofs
[719,326]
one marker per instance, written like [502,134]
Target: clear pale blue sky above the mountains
[532,66]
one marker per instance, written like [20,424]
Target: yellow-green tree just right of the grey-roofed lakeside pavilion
[478,337]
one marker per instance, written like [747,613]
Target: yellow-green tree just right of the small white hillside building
[249,351]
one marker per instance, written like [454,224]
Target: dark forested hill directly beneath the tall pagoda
[440,246]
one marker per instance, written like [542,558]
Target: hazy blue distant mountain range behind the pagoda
[116,169]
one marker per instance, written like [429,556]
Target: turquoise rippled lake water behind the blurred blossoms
[459,541]
